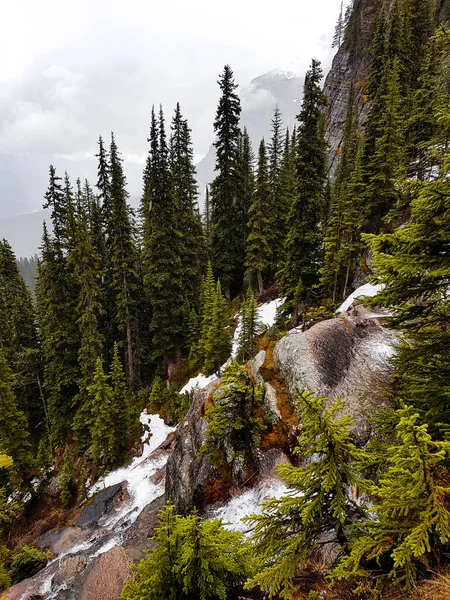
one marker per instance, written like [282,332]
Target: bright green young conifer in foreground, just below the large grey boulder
[318,502]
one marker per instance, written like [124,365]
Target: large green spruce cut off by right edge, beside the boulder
[413,264]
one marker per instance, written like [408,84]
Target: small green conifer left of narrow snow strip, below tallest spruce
[217,346]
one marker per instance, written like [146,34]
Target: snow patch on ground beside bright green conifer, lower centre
[249,503]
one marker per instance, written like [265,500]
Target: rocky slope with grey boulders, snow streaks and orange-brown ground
[347,355]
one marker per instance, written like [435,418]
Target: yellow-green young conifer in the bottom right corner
[411,521]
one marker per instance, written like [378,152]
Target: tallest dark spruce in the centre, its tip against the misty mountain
[227,254]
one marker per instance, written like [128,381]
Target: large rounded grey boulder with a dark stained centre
[346,356]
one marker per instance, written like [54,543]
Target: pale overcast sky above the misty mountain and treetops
[72,70]
